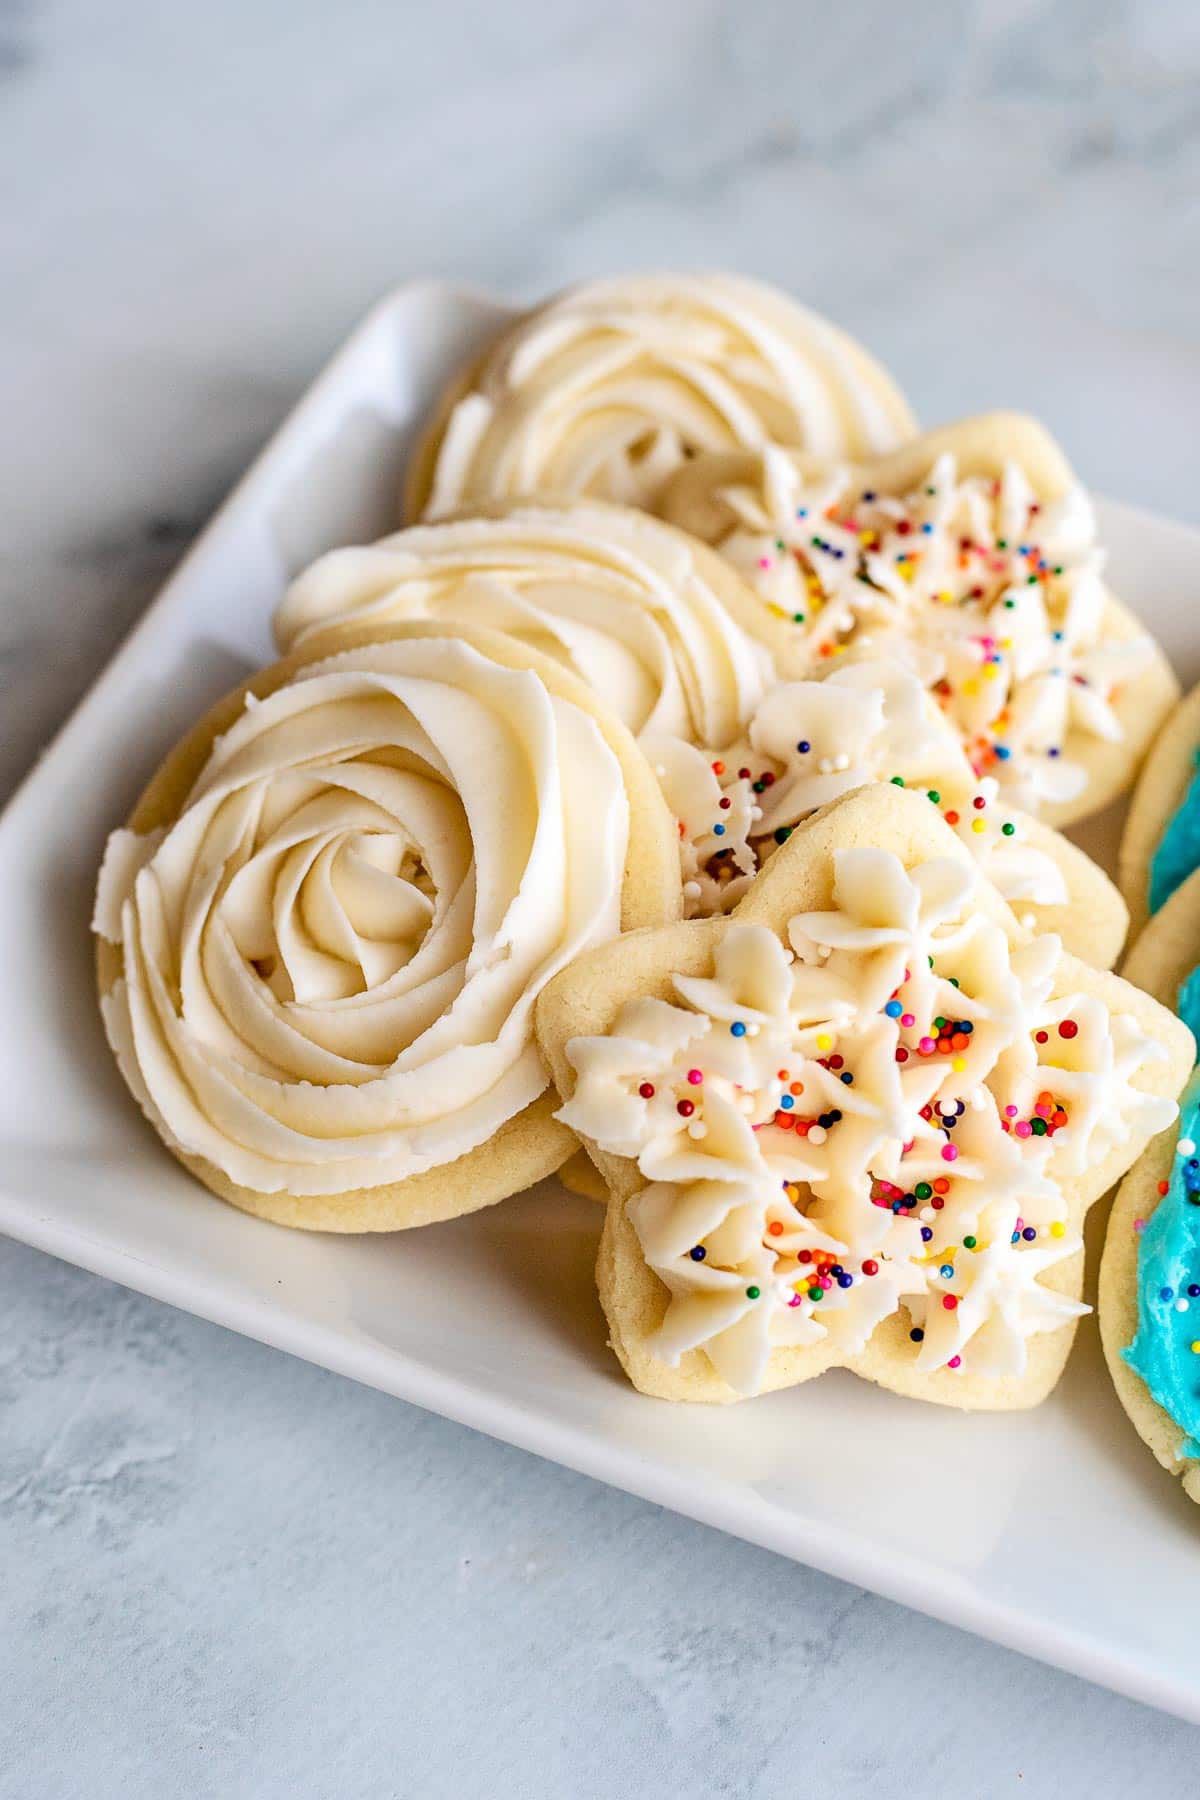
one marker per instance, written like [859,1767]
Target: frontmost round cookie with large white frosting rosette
[323,931]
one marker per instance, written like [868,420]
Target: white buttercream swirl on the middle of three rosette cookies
[656,625]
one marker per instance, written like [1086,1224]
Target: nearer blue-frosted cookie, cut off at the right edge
[1151,1270]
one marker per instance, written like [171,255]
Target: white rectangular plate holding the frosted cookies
[1053,1533]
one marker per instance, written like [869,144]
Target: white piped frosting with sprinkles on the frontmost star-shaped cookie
[877,1115]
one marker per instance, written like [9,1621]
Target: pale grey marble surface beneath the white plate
[228,1574]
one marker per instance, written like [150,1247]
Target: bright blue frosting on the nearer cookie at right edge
[1169,1272]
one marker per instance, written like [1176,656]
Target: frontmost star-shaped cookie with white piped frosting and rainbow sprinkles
[855,1124]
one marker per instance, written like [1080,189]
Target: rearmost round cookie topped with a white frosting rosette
[609,388]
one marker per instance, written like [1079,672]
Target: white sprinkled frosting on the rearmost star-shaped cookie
[992,597]
